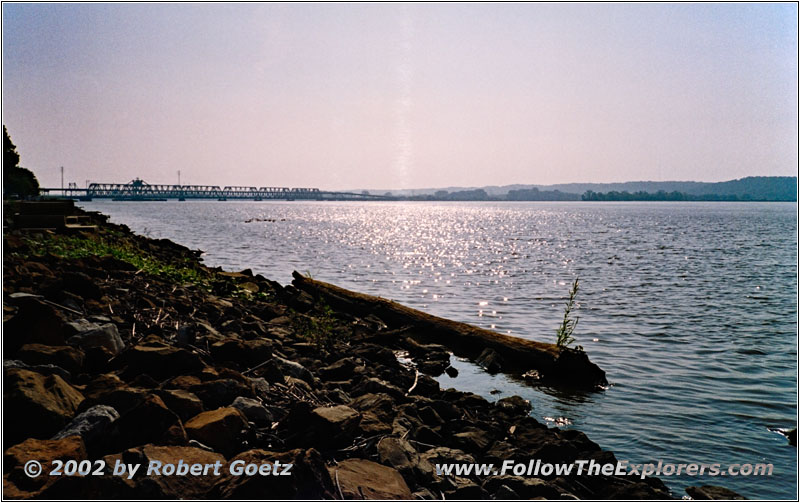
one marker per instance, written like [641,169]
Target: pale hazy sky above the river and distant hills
[401,95]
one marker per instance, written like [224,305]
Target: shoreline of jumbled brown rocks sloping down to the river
[128,350]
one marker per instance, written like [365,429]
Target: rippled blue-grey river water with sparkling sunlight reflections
[690,308]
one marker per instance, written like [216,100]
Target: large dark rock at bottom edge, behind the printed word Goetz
[309,479]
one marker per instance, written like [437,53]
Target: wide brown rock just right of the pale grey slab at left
[159,362]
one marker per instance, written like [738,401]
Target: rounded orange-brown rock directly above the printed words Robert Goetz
[222,429]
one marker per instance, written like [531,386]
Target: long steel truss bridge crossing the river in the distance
[139,190]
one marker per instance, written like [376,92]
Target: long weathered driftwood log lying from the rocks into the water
[553,364]
